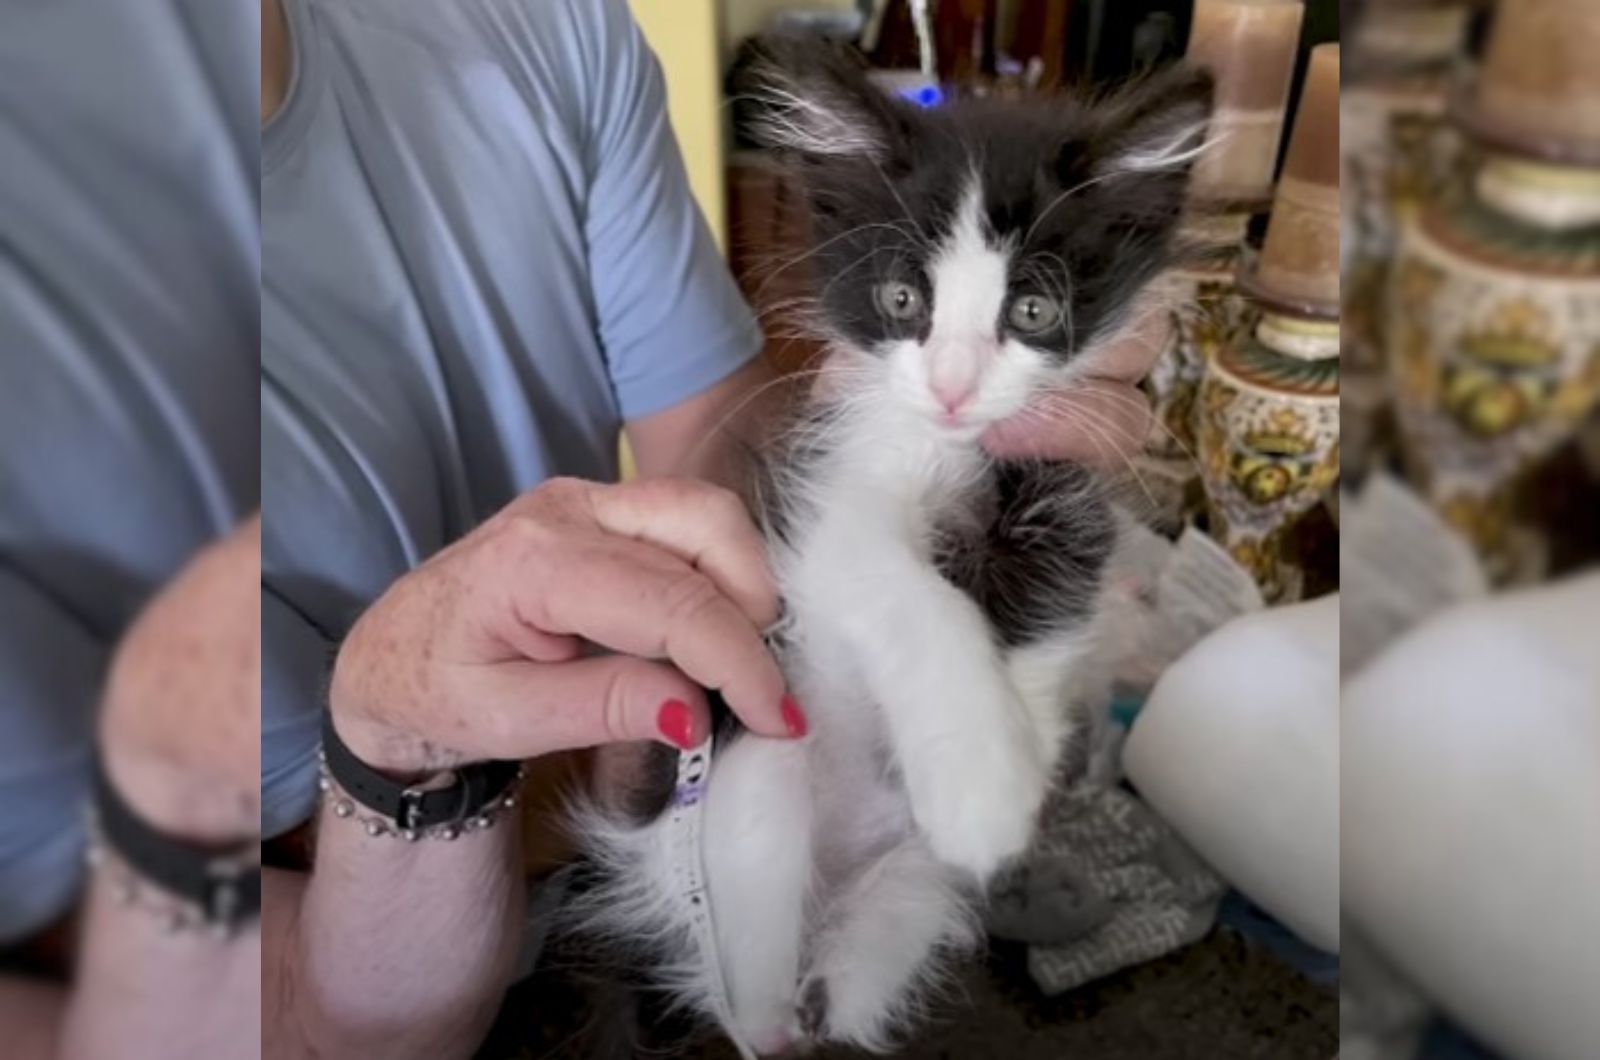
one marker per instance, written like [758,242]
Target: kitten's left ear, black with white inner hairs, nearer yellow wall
[814,98]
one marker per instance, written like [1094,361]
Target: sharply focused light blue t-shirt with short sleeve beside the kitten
[481,257]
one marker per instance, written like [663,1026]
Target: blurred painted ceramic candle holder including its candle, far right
[1495,302]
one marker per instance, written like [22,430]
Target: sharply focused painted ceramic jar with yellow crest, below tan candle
[1270,443]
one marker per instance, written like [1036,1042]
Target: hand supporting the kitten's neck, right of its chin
[1102,420]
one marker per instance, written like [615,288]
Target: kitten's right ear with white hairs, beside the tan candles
[1158,126]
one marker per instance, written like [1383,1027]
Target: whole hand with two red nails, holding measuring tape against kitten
[481,652]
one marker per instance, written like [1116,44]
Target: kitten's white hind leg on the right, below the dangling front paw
[874,950]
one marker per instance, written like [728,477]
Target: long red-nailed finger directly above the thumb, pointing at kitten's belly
[638,600]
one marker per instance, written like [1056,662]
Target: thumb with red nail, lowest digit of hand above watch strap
[537,709]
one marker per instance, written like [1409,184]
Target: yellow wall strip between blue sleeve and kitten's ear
[686,38]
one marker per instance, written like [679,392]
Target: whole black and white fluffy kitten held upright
[938,601]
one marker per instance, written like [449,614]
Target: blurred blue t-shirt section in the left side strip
[129,371]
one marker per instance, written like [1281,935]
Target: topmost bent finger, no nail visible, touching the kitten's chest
[703,524]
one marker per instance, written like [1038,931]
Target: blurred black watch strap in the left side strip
[223,881]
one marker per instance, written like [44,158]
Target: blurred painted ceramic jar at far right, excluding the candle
[1495,343]
